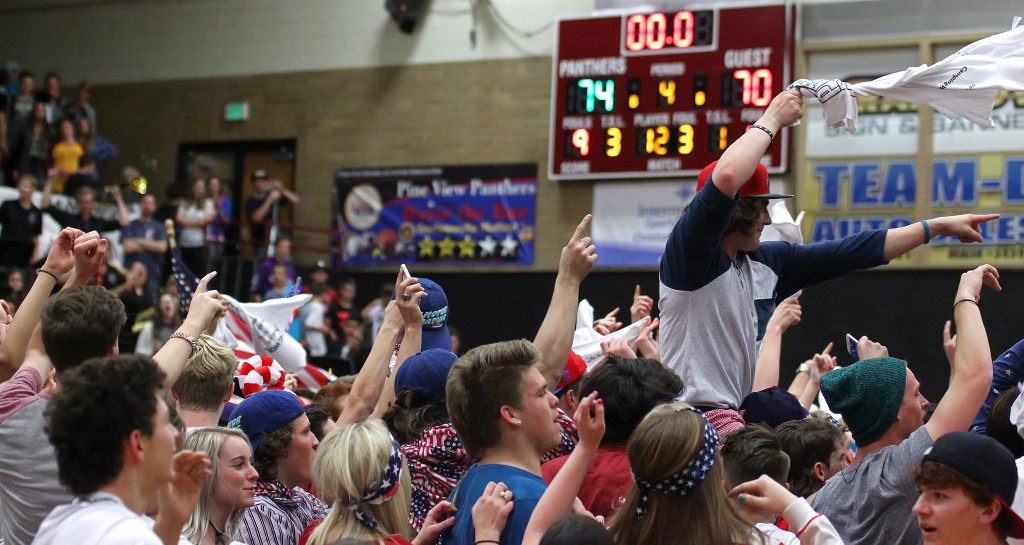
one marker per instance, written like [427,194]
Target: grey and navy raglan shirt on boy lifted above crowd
[714,311]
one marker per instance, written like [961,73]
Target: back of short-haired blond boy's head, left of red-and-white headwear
[206,384]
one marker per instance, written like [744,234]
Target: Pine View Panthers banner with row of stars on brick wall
[460,215]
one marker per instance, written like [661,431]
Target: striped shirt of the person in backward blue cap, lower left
[280,516]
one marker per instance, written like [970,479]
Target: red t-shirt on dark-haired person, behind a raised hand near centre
[609,480]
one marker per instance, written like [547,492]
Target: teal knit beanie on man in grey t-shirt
[869,395]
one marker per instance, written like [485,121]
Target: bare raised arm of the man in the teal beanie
[971,373]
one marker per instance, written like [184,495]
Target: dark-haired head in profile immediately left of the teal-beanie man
[817,453]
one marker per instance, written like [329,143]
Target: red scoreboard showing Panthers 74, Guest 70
[664,94]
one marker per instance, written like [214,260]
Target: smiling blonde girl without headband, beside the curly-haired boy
[229,492]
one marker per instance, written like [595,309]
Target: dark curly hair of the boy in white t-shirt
[101,403]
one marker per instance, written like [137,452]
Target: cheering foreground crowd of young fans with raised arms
[522,442]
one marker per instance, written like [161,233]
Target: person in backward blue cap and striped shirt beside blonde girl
[283,448]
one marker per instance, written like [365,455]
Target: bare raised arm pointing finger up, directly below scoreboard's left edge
[554,340]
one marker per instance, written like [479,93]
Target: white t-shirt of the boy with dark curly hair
[99,520]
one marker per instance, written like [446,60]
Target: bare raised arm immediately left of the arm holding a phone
[370,383]
